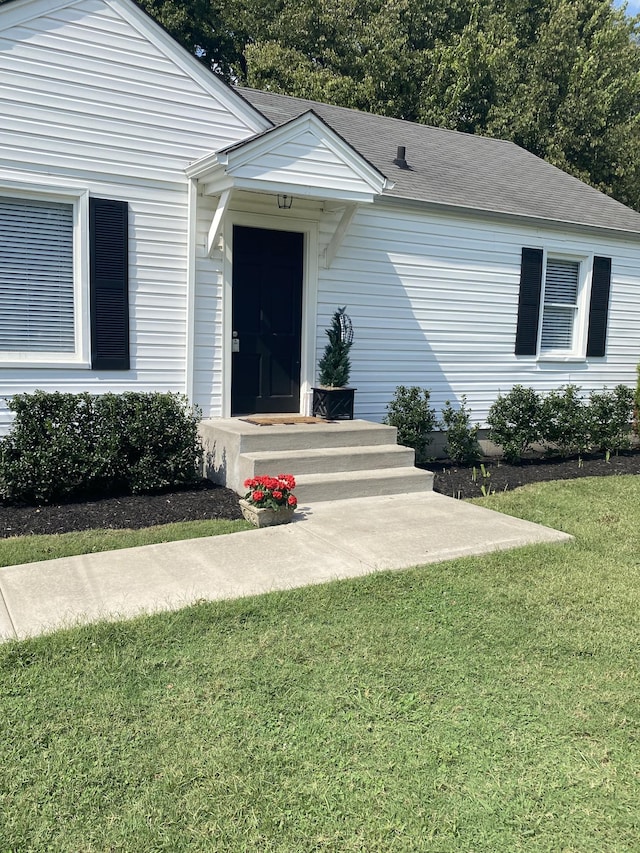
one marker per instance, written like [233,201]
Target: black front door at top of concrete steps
[267,320]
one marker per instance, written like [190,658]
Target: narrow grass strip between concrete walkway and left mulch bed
[29,549]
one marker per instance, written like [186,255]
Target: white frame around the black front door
[309,228]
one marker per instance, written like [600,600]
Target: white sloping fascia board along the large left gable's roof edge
[212,84]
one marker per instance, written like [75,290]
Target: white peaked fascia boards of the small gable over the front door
[244,153]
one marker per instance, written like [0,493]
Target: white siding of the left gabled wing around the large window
[88,101]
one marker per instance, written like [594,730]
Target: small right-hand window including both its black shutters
[563,305]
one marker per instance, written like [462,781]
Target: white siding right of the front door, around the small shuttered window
[434,299]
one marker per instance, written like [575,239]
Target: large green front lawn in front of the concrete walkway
[485,704]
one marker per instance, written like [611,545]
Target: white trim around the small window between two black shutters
[578,350]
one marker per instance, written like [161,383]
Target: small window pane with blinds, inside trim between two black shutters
[560,305]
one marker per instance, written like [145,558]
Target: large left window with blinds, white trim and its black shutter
[63,281]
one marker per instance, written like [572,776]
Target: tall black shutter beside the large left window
[108,241]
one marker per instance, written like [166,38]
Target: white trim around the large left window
[81,356]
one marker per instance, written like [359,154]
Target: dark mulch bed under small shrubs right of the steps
[461,482]
